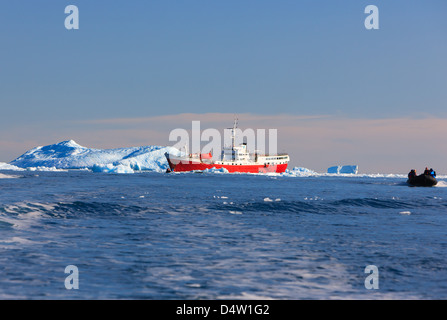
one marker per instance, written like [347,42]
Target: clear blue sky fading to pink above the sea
[337,92]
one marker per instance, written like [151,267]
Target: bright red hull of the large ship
[177,165]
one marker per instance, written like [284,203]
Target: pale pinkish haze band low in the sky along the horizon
[314,142]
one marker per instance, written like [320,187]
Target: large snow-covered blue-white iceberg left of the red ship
[70,155]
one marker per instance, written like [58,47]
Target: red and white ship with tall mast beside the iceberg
[234,158]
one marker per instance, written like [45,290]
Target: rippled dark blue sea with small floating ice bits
[77,234]
